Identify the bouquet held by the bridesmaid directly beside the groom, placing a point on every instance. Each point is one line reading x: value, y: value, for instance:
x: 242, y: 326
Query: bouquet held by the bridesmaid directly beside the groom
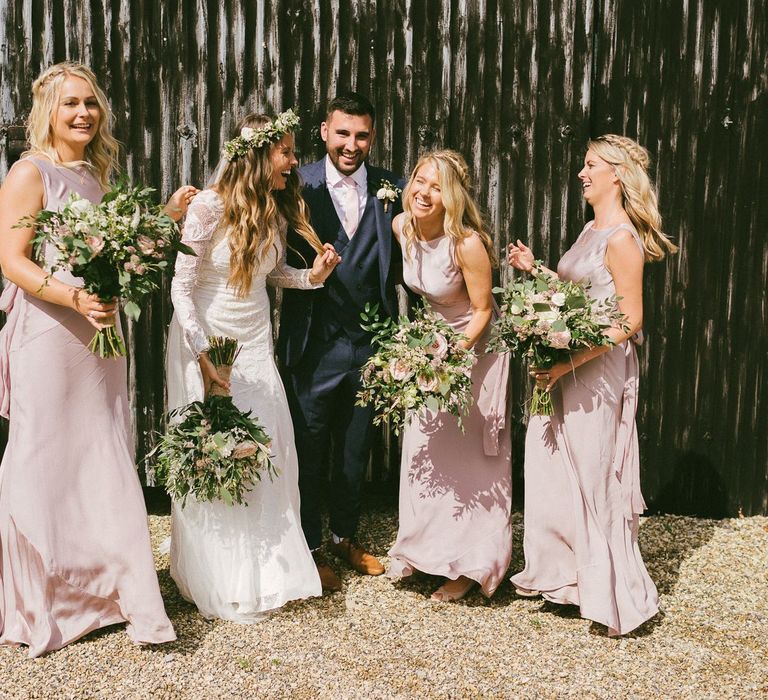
x: 419, y: 364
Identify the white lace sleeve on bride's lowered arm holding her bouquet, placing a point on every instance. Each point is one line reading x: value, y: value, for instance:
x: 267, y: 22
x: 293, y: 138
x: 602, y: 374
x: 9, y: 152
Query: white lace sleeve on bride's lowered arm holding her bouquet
x: 202, y: 221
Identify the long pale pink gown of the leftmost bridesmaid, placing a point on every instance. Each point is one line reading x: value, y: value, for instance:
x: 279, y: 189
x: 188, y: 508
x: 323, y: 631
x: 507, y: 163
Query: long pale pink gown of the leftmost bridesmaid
x: 75, y: 553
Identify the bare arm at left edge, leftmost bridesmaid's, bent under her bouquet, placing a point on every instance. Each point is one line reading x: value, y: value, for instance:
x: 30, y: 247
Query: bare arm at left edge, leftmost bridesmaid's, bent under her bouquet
x: 22, y: 195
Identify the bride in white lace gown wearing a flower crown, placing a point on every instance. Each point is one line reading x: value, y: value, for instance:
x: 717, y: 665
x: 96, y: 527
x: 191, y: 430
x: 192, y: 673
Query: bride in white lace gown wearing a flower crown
x: 237, y: 561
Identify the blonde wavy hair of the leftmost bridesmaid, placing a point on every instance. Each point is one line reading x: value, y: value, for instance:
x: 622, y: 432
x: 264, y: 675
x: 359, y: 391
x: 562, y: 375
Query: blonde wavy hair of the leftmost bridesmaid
x: 102, y: 151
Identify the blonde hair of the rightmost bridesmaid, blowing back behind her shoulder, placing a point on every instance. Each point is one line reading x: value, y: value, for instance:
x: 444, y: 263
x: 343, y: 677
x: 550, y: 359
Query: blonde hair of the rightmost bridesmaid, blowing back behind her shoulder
x: 630, y: 162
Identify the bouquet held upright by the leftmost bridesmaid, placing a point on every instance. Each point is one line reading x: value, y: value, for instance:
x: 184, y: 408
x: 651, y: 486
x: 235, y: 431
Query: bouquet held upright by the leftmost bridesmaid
x: 119, y: 247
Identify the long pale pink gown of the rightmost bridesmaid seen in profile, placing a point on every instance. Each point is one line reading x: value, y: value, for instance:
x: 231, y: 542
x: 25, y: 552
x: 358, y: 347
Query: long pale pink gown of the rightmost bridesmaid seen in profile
x: 582, y: 475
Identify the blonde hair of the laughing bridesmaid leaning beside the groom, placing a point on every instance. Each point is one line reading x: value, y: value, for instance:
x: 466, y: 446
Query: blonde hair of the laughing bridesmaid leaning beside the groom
x: 462, y: 214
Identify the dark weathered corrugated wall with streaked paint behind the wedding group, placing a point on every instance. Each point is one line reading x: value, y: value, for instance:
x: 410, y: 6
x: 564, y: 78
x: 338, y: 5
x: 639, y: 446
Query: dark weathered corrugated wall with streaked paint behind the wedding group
x: 518, y: 87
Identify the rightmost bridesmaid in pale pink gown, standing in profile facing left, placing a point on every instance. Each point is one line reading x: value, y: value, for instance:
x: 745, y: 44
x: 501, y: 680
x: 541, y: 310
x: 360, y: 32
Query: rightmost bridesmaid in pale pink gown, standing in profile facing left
x: 582, y: 470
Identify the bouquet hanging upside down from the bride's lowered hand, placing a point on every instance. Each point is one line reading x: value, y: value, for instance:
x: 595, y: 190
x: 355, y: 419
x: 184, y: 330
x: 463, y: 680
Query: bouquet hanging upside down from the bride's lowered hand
x: 211, y: 449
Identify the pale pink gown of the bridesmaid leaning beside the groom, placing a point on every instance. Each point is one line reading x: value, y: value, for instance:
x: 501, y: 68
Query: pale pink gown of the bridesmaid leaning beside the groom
x: 455, y: 488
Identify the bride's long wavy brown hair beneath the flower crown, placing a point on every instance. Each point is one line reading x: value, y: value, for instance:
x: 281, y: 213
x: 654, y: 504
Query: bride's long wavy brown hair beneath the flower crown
x: 254, y: 210
